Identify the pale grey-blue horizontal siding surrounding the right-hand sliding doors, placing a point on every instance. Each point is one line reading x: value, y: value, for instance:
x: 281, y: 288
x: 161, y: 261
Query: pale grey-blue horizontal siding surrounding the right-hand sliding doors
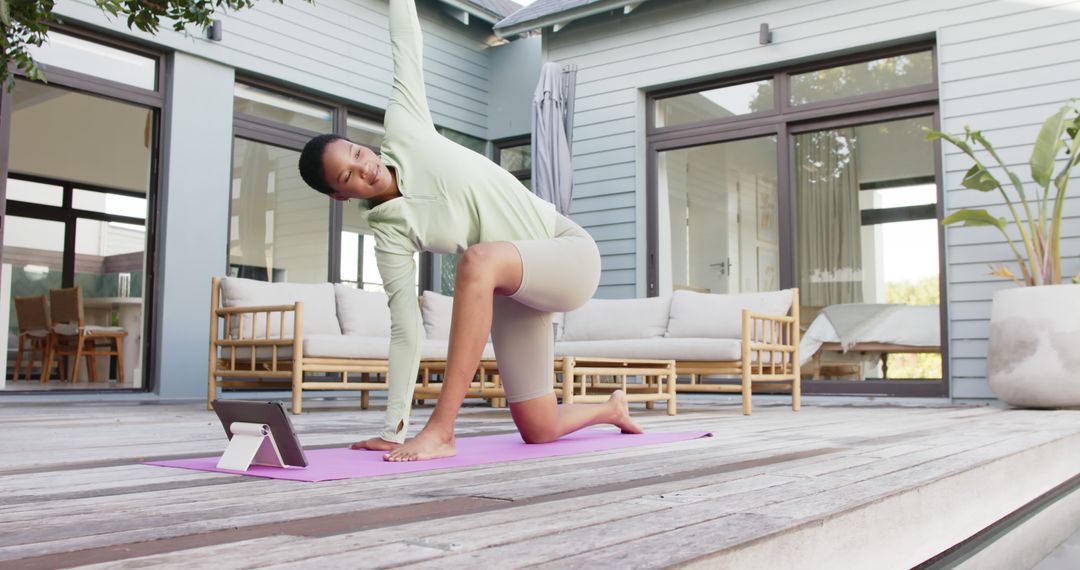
x: 1004, y: 67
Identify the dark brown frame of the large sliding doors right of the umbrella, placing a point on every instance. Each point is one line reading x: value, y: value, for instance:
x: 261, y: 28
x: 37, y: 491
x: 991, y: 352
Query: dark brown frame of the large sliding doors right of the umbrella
x: 785, y: 124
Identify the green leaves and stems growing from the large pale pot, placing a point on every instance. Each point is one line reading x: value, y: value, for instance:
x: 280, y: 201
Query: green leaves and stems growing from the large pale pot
x: 1039, y: 220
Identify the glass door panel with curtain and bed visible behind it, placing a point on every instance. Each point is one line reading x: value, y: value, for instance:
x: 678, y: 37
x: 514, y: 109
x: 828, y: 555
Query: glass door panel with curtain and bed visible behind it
x: 867, y: 252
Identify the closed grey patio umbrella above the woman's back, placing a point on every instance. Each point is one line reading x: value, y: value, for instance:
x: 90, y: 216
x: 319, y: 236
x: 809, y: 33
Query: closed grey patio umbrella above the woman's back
x: 552, y: 131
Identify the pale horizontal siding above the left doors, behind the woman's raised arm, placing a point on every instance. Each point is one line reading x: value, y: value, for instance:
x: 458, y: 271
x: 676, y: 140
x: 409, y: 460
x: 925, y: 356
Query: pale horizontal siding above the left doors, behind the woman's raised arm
x: 339, y: 49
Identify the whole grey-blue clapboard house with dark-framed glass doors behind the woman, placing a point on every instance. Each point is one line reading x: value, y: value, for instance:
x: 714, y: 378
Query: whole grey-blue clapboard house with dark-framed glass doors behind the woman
x: 719, y: 146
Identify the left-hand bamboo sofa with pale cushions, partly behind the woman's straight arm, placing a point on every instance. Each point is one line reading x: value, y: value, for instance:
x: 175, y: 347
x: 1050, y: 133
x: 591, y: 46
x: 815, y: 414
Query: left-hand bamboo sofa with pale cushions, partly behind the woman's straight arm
x: 302, y: 337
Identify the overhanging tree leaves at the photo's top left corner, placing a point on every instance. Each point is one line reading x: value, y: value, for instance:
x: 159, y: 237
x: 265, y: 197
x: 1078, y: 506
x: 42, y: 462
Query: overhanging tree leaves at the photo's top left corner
x: 26, y: 23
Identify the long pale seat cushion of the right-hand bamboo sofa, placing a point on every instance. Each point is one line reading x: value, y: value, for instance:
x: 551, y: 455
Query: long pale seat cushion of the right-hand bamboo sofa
x: 677, y: 349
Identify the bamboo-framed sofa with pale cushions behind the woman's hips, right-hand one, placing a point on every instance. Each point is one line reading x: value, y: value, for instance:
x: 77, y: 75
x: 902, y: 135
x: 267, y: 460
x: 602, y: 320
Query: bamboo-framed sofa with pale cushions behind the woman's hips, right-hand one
x: 752, y: 337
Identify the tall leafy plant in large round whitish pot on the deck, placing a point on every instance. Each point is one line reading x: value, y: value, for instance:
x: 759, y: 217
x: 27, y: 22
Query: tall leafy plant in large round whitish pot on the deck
x: 1034, y: 357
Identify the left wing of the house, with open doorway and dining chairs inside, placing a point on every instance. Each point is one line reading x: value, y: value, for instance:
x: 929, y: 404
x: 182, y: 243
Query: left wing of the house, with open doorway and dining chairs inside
x: 150, y: 165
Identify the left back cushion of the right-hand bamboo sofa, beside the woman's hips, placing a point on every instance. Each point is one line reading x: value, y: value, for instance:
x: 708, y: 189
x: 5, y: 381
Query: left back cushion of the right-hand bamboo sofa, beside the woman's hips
x: 617, y: 319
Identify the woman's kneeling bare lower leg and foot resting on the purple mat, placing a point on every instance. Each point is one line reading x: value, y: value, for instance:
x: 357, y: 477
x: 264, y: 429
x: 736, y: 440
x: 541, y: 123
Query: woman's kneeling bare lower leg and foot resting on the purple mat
x: 542, y: 420
